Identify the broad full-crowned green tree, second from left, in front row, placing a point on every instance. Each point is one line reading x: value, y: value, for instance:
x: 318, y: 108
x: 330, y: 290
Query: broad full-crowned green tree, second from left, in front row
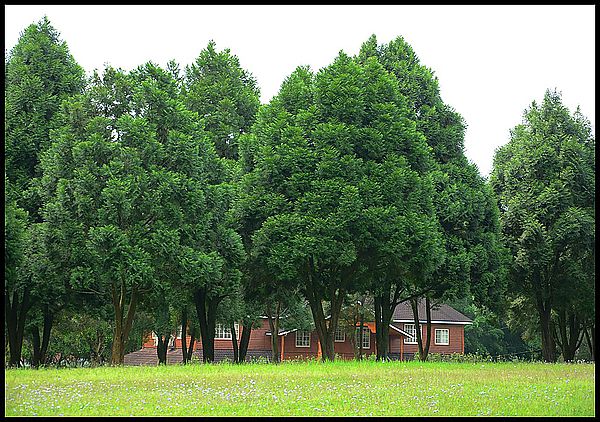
x: 128, y: 169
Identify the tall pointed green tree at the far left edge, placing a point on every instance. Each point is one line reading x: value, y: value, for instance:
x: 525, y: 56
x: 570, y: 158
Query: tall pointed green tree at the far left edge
x: 39, y: 74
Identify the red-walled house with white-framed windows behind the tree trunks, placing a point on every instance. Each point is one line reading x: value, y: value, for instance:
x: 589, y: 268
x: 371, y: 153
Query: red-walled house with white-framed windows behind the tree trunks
x: 447, y: 330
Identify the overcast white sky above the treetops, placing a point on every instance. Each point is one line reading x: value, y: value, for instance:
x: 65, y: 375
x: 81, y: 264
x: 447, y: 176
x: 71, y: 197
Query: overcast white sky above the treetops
x: 491, y: 61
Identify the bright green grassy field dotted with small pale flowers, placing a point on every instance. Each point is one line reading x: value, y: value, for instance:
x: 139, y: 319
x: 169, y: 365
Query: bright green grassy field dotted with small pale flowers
x: 306, y: 389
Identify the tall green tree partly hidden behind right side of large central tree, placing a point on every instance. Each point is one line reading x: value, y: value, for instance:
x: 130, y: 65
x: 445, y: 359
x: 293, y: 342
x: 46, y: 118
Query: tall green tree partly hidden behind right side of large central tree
x: 472, y: 258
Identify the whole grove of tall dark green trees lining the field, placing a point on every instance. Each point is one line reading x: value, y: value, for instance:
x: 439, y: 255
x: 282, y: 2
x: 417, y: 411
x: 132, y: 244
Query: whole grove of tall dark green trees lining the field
x: 157, y: 198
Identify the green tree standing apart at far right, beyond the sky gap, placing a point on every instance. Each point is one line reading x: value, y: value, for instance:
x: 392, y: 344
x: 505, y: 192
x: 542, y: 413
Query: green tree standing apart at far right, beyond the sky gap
x: 544, y: 178
